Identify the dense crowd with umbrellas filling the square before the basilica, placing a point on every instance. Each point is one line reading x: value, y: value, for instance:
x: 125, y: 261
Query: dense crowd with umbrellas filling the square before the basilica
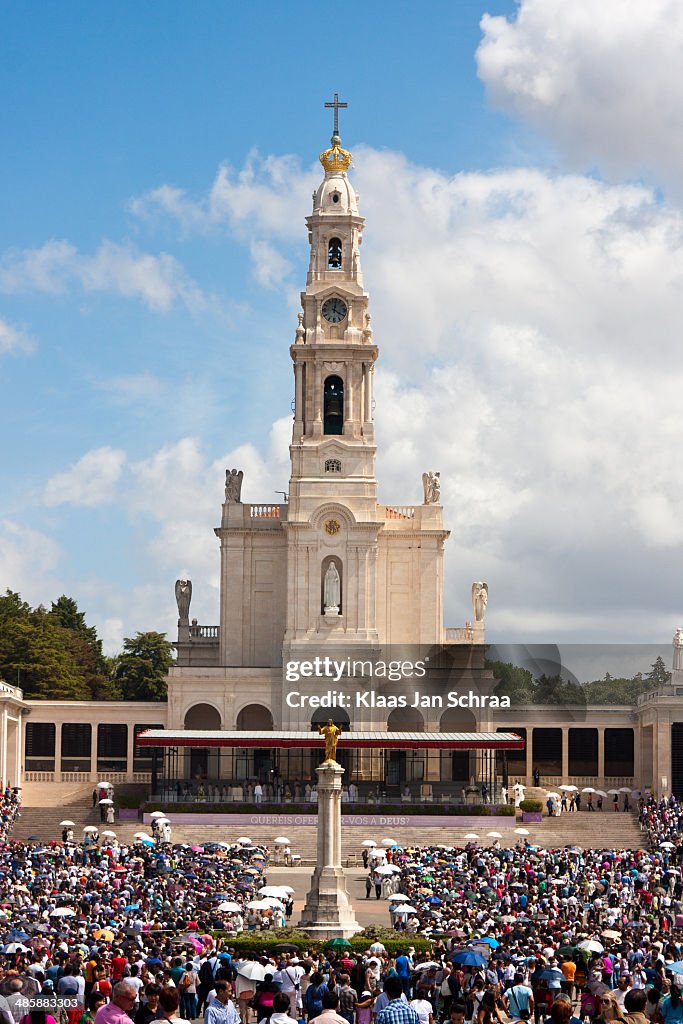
x: 103, y: 934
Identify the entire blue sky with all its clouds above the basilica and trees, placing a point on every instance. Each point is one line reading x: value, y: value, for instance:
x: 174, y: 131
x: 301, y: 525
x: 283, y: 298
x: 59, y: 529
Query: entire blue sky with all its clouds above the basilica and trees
x: 523, y: 255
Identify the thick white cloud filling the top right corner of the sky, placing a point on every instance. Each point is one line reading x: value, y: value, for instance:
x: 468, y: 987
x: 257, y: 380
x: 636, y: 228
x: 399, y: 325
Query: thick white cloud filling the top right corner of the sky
x: 603, y: 80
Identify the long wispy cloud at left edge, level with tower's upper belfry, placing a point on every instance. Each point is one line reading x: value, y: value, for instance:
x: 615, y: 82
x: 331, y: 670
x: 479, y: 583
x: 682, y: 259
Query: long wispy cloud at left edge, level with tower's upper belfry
x: 159, y: 282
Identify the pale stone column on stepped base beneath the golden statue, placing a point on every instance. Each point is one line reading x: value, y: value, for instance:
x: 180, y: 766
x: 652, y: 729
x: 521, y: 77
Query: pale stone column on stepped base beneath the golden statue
x: 328, y: 911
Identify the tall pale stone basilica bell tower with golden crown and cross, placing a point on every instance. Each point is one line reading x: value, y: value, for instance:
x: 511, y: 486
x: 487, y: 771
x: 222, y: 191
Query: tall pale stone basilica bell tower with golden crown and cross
x: 332, y: 526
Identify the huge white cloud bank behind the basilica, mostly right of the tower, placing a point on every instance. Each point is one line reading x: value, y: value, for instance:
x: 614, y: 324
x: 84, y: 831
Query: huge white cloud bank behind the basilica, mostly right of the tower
x: 529, y: 330
